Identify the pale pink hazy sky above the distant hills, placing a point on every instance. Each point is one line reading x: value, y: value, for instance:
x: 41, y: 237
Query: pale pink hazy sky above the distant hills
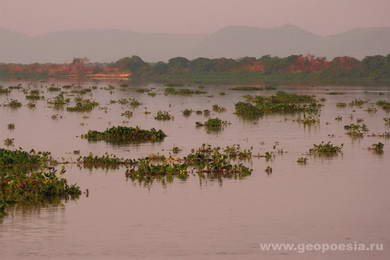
x: 191, y: 16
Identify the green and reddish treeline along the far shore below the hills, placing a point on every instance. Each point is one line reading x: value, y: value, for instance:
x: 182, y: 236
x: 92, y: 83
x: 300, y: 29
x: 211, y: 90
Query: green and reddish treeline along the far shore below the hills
x: 294, y: 69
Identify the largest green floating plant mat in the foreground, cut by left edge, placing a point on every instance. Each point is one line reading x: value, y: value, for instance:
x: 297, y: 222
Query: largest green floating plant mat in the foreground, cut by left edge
x: 27, y: 177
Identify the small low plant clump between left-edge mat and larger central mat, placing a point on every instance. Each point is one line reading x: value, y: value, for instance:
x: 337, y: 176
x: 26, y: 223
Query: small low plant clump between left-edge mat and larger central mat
x: 106, y: 161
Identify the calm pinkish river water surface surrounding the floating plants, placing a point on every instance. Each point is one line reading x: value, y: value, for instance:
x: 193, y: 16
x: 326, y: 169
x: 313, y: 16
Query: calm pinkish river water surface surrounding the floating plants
x: 343, y: 199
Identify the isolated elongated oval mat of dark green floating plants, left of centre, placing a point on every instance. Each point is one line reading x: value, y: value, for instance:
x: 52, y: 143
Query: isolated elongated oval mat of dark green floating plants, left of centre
x: 125, y: 135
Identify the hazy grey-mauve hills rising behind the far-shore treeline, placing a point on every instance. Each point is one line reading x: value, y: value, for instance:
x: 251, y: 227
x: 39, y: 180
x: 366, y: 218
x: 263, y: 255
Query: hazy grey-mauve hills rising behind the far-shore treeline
x: 232, y: 41
